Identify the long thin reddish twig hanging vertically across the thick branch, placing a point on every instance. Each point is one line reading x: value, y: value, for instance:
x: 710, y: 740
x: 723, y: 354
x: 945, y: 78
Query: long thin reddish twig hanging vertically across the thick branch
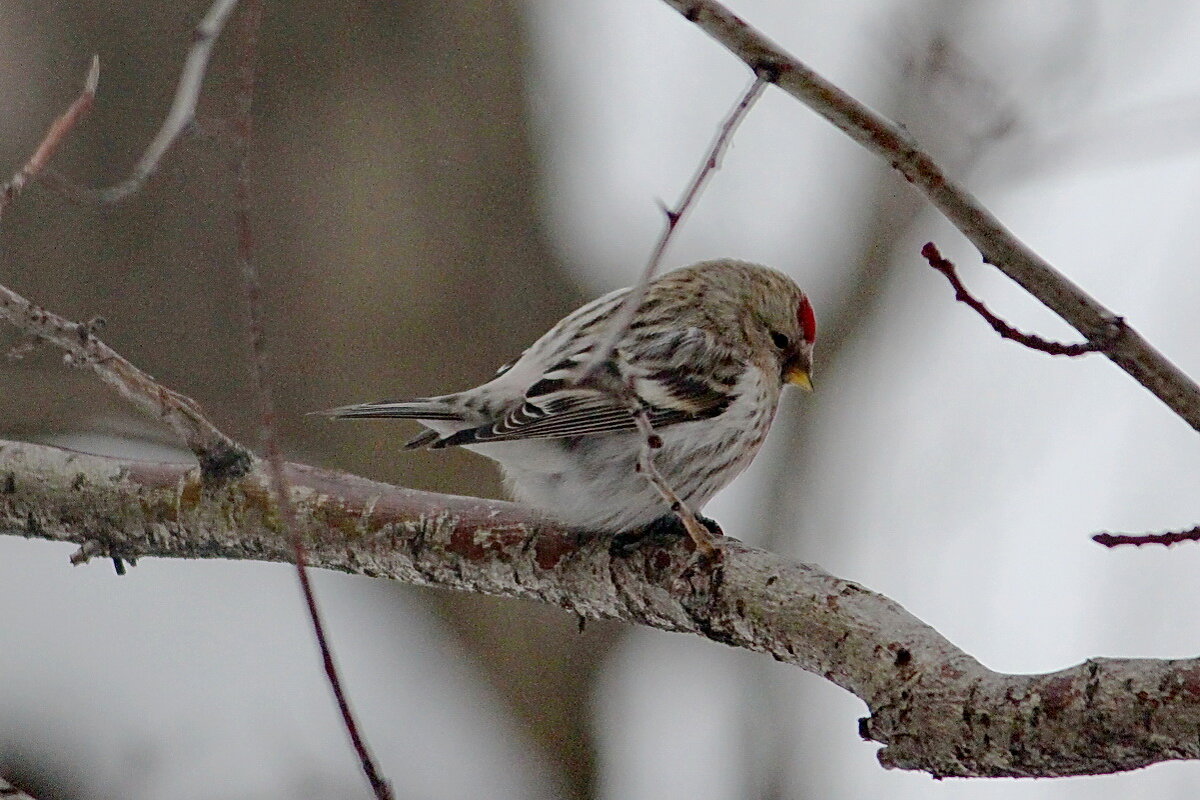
x: 263, y: 392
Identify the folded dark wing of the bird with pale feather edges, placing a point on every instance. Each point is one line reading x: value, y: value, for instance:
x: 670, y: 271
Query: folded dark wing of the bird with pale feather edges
x: 555, y: 407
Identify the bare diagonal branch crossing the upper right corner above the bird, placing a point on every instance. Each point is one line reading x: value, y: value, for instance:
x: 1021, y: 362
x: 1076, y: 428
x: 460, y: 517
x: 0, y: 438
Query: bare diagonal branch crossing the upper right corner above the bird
x: 997, y: 243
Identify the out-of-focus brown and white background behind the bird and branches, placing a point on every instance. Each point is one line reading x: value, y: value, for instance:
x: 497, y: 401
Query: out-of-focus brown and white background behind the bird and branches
x: 436, y: 184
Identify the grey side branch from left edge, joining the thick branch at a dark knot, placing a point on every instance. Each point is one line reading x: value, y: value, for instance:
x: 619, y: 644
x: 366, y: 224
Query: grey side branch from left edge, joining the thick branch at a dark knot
x: 219, y: 455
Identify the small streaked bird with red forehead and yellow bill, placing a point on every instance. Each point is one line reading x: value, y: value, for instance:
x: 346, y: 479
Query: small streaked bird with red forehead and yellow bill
x: 707, y: 354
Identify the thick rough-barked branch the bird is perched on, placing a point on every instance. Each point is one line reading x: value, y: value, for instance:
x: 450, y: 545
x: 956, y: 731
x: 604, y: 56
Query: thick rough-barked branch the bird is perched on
x: 935, y: 708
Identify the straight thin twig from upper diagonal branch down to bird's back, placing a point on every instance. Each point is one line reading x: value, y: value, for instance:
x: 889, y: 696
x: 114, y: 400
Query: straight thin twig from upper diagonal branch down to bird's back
x: 621, y: 321
